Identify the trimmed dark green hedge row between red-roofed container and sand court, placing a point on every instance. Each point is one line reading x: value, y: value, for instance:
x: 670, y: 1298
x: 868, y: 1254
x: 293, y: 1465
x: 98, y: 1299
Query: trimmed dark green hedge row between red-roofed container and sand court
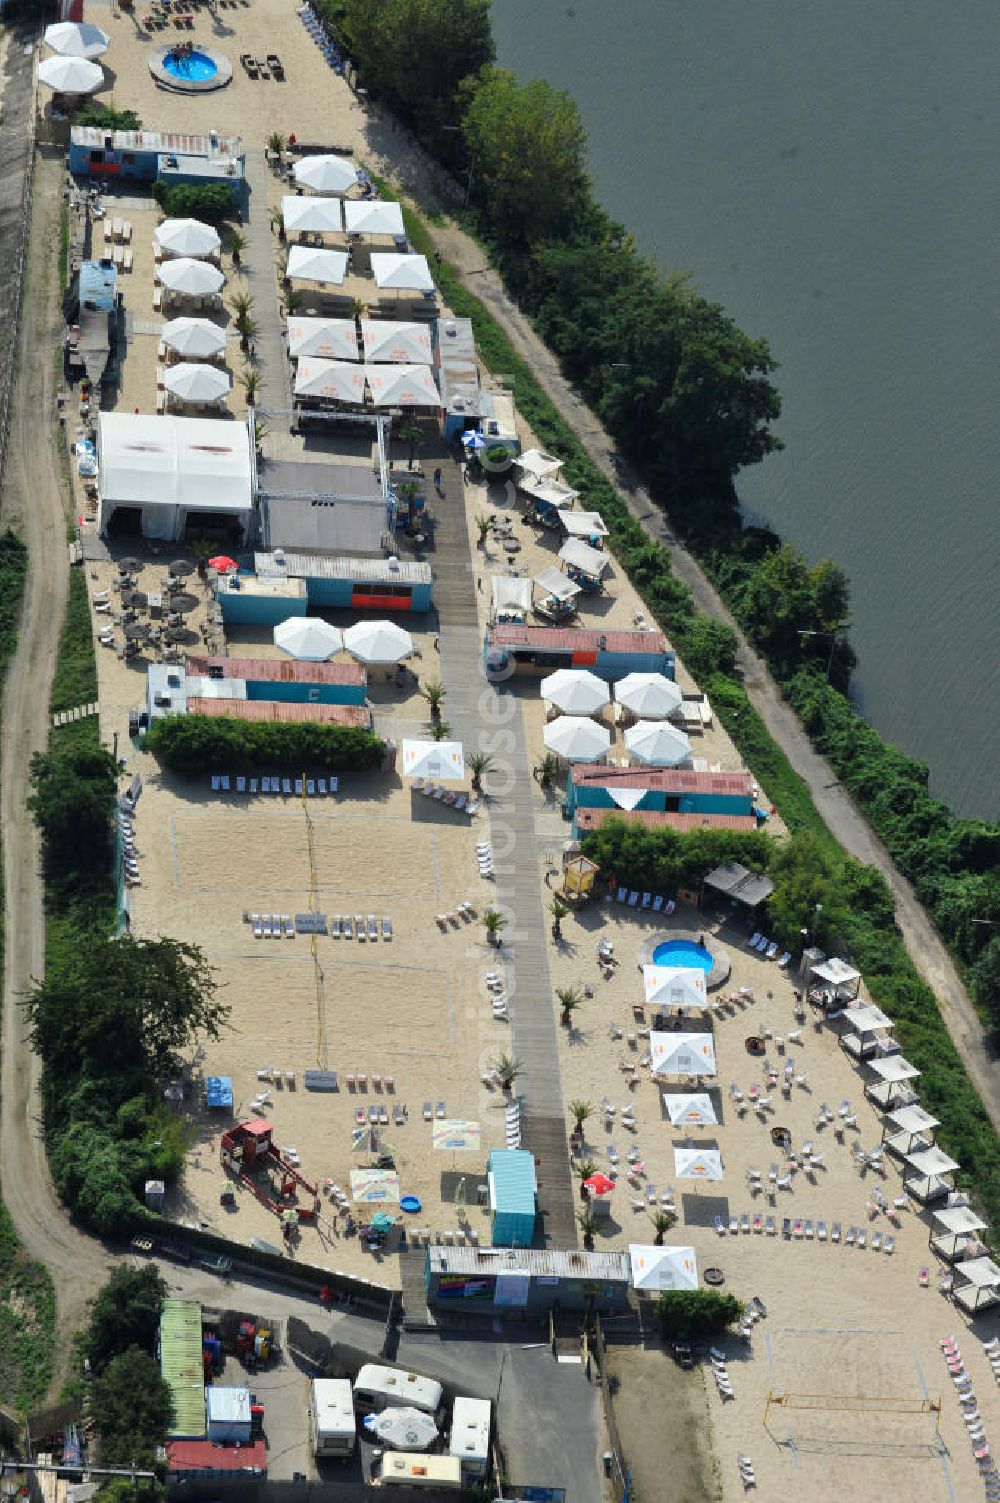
x: 198, y: 745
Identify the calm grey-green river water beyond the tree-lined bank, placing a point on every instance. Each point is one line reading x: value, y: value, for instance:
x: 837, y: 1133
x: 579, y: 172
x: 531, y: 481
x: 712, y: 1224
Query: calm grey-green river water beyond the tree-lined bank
x: 829, y: 174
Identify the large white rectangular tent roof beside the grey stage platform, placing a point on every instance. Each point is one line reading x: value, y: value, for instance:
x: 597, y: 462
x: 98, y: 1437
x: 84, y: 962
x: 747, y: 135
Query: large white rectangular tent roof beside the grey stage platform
x: 166, y: 461
